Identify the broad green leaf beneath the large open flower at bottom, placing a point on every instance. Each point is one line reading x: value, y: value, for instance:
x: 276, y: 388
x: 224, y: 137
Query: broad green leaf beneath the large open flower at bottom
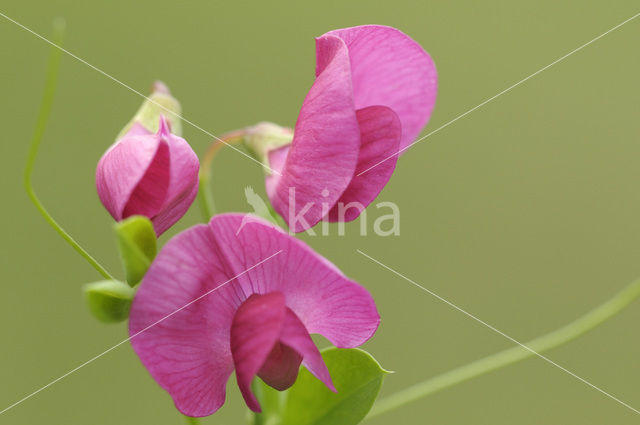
x: 356, y: 375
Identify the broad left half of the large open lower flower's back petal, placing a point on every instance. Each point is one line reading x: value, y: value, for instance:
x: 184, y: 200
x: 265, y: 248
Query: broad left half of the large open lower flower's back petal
x: 183, y: 343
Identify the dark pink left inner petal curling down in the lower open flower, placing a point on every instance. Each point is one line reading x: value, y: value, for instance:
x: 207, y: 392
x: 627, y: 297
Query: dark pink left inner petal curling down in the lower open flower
x: 254, y: 332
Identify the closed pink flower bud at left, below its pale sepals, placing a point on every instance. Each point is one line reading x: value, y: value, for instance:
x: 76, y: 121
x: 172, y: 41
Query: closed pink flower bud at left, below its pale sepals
x: 155, y: 175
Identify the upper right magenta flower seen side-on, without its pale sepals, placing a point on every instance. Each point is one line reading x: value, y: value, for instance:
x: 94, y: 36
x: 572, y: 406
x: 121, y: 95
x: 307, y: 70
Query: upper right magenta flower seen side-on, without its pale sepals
x: 374, y: 91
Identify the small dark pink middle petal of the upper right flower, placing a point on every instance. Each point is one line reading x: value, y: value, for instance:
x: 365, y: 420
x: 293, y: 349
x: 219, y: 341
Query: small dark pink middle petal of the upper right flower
x: 380, y: 132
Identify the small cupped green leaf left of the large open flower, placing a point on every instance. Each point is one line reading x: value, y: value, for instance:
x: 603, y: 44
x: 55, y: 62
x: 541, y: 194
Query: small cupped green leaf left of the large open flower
x: 109, y: 300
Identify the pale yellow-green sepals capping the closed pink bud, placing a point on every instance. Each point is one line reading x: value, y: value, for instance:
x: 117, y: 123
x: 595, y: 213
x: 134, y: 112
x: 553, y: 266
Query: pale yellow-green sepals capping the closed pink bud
x: 159, y: 102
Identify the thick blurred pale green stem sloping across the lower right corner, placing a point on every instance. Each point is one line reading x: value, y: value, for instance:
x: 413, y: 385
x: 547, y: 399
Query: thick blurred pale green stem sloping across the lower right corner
x: 511, y: 355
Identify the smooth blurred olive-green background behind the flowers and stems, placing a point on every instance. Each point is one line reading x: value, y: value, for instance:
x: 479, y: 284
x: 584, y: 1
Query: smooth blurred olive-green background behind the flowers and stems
x: 526, y: 212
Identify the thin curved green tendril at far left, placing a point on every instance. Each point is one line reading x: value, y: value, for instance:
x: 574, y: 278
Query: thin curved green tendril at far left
x: 41, y: 124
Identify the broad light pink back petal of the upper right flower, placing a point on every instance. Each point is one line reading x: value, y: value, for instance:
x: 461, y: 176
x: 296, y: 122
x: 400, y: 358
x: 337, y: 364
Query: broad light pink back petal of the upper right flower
x: 389, y: 68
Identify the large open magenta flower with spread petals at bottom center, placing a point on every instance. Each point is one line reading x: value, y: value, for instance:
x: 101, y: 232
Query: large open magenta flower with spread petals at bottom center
x: 258, y: 296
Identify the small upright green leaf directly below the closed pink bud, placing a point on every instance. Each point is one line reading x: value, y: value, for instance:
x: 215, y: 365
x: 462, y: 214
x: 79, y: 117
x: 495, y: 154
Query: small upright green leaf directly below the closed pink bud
x: 137, y: 242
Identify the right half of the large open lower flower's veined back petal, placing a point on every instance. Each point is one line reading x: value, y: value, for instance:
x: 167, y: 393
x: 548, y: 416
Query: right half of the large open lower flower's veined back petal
x: 324, y: 300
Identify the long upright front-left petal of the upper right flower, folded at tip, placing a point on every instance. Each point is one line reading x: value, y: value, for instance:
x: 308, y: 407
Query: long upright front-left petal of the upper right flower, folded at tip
x: 323, y: 155
